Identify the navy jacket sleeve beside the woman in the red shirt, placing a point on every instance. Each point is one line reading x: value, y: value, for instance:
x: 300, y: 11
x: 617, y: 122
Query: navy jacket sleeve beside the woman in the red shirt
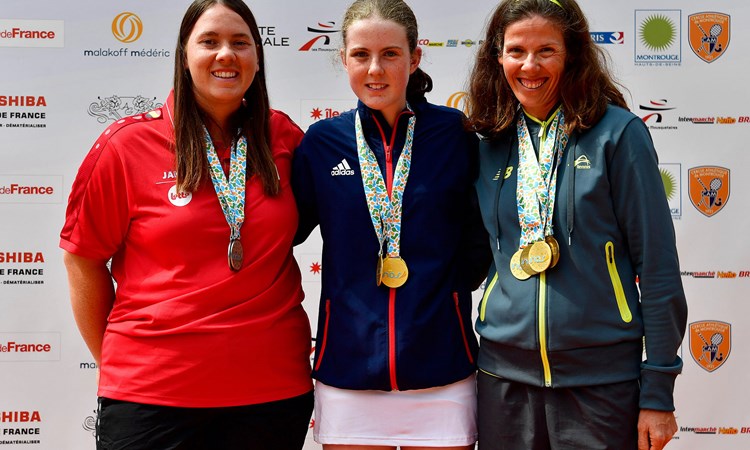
x: 303, y: 185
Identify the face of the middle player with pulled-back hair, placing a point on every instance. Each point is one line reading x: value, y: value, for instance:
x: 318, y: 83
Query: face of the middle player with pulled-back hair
x: 379, y: 62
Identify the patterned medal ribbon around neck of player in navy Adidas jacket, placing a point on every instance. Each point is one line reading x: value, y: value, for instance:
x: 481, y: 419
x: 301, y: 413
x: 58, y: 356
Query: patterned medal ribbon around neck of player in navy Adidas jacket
x: 384, y: 211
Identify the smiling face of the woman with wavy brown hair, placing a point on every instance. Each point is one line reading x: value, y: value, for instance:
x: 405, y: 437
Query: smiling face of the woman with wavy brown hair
x: 533, y: 60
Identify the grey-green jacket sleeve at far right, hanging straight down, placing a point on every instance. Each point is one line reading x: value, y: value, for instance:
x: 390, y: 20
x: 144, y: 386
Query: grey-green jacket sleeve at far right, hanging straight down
x: 643, y: 215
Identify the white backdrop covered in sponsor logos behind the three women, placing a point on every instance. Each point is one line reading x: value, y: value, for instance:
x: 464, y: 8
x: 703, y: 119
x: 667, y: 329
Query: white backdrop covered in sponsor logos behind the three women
x: 61, y: 88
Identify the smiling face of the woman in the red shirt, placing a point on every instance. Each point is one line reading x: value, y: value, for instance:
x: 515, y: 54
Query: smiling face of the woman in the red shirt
x: 222, y: 59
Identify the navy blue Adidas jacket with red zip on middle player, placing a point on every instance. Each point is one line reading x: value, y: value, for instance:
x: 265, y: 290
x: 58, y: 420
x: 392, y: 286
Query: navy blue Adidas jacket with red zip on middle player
x: 419, y: 335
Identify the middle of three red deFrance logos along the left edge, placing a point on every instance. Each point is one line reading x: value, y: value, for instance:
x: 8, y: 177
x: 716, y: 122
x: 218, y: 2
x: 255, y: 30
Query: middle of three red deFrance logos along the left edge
x: 31, y: 189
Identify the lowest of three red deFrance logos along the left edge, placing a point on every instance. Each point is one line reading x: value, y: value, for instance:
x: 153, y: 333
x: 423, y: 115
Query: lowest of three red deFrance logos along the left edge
x: 22, y: 347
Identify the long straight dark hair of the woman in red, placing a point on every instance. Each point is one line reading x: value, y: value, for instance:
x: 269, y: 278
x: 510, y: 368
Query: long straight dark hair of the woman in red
x: 252, y: 120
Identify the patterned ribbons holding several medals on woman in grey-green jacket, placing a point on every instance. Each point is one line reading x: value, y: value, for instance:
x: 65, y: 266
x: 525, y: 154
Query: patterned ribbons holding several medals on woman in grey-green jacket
x: 535, y: 193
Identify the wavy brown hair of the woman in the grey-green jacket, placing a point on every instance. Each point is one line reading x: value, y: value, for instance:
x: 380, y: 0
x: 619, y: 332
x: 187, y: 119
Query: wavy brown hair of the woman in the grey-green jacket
x: 586, y: 86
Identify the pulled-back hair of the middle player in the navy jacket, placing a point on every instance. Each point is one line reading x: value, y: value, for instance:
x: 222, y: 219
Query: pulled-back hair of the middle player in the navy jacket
x: 396, y: 11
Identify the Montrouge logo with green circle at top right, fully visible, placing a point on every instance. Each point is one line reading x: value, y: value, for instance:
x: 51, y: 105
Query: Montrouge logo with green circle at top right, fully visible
x: 657, y: 37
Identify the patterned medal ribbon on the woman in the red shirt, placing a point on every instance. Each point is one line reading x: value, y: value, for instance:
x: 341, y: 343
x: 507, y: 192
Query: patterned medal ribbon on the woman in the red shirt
x: 231, y: 192
